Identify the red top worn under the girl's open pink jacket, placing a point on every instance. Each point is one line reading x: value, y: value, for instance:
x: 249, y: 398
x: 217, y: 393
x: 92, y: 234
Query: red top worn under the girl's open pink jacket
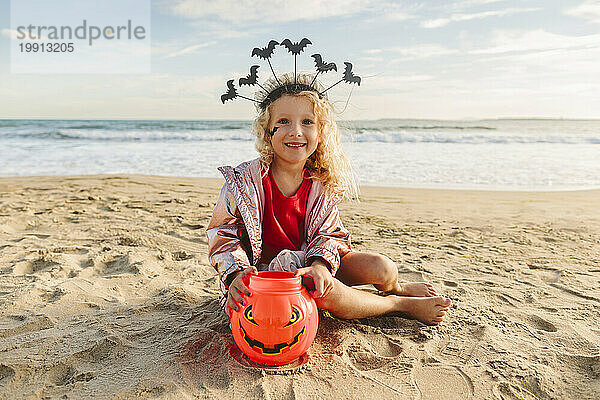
x: 283, y: 219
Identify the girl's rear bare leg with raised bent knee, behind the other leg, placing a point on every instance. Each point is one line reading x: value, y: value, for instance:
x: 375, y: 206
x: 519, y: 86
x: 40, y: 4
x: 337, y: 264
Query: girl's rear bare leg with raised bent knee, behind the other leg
x: 358, y: 268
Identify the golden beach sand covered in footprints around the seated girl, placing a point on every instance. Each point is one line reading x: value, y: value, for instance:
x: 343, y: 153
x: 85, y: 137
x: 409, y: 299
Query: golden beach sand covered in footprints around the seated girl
x: 106, y: 291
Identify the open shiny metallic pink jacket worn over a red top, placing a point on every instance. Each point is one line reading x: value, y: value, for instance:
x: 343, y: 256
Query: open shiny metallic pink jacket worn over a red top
x: 235, y: 229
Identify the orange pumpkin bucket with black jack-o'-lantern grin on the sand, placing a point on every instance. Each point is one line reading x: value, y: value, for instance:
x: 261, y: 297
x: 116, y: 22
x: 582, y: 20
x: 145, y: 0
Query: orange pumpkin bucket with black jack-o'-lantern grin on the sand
x: 280, y: 320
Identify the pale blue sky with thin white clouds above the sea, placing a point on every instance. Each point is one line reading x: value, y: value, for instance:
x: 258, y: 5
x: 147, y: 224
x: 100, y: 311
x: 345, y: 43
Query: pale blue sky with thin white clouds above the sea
x: 455, y: 59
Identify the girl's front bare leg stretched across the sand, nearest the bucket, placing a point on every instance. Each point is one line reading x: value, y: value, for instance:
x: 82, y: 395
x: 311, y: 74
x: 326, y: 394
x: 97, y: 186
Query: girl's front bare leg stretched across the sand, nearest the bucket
x: 346, y: 302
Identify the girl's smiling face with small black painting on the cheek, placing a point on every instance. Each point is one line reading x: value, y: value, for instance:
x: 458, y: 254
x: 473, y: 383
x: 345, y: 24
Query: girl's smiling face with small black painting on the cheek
x: 296, y: 136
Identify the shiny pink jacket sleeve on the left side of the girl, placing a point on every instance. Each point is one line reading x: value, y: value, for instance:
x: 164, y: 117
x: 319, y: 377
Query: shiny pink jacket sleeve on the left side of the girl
x: 226, y: 239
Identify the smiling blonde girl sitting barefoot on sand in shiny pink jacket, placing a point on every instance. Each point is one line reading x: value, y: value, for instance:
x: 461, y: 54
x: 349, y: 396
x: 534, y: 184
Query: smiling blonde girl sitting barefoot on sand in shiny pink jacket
x: 279, y: 212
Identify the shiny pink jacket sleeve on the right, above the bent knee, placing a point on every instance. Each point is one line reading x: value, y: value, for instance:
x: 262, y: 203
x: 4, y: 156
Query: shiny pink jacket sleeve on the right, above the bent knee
x: 331, y: 241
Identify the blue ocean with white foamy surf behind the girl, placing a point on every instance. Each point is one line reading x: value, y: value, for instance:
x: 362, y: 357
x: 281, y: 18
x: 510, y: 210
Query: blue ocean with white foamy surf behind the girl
x: 502, y: 154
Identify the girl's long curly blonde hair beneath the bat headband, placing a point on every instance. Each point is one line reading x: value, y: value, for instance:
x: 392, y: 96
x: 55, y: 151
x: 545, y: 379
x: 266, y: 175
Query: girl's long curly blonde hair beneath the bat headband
x: 327, y: 164
